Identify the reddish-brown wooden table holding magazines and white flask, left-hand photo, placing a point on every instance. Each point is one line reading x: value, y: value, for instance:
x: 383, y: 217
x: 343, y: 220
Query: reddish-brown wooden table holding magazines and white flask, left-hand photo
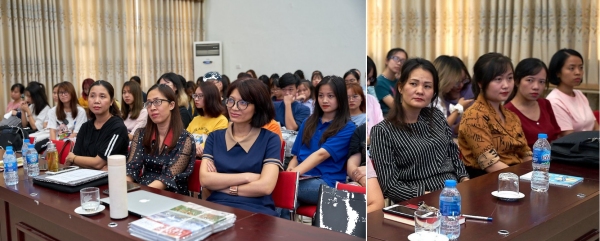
x: 31, y: 212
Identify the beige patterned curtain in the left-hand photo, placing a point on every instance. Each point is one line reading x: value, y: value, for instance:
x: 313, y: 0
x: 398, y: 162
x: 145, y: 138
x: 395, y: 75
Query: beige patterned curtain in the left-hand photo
x: 51, y: 41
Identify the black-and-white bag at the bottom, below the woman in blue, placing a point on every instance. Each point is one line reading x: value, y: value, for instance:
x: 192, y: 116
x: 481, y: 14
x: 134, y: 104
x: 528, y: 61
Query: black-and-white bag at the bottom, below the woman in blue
x: 332, y: 208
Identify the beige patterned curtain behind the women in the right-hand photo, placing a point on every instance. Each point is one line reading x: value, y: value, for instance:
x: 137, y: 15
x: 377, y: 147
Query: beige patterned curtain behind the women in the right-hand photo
x: 470, y: 28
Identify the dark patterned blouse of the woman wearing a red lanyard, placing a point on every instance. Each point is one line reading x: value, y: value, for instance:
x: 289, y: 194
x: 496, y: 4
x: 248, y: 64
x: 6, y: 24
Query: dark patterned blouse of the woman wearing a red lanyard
x: 173, y: 168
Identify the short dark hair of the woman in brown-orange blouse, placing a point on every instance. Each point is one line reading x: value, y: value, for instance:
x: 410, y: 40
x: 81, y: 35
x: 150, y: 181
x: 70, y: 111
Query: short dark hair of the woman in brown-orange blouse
x: 486, y: 68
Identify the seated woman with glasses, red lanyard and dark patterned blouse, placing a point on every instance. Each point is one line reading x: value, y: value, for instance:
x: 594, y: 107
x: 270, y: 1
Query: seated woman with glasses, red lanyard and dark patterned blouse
x: 163, y: 154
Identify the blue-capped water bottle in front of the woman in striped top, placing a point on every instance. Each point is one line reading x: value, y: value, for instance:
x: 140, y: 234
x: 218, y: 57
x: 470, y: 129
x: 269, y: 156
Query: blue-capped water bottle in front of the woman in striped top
x: 450, y: 204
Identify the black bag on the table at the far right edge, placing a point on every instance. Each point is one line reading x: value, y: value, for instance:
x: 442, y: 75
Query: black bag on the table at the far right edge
x: 578, y: 148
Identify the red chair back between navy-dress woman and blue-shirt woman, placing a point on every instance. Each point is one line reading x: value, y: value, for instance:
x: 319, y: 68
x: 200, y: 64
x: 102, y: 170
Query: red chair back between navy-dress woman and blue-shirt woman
x: 286, y: 191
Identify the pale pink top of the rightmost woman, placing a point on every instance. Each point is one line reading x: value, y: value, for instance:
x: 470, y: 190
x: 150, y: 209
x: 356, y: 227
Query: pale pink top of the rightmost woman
x: 572, y: 113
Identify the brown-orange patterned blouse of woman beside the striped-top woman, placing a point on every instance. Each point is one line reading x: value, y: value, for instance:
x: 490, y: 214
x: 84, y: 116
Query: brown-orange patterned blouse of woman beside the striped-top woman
x: 484, y: 140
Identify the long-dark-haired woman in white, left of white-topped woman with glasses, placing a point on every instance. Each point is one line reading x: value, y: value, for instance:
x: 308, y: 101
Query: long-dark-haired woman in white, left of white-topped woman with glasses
x: 35, y: 115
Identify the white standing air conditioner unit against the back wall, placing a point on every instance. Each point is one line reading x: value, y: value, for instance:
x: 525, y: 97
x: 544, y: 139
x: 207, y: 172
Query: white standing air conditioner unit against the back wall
x: 208, y: 56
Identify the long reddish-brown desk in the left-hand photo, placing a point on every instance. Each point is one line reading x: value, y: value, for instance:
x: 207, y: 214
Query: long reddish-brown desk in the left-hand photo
x: 58, y: 208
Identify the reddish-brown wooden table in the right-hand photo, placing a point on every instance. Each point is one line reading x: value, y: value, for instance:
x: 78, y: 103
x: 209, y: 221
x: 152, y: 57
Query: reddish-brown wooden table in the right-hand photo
x: 558, y: 214
